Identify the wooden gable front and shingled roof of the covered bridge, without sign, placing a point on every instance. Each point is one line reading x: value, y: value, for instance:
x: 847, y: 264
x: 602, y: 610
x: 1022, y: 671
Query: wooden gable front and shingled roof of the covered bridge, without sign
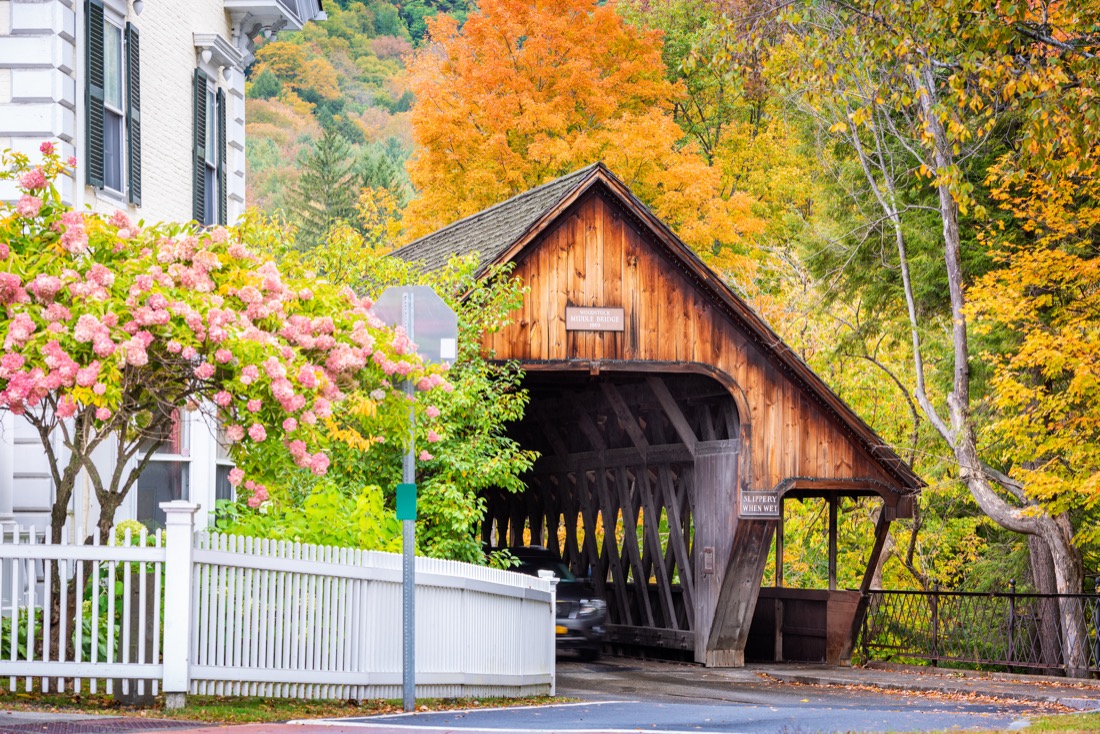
x: 585, y: 240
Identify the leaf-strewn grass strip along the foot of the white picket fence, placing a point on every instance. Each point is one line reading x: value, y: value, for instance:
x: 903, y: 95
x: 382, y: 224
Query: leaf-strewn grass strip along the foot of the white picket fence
x: 244, y: 710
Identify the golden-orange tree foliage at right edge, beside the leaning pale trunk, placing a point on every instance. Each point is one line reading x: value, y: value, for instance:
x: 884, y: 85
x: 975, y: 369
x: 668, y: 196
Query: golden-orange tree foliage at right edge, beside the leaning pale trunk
x: 1044, y: 303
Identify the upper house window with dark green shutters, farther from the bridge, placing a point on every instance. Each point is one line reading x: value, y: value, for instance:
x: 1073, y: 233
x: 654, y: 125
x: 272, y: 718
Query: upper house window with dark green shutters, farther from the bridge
x: 113, y: 104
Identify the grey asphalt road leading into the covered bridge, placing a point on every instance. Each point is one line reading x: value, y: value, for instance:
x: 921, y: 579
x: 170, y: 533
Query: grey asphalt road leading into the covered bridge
x: 633, y: 696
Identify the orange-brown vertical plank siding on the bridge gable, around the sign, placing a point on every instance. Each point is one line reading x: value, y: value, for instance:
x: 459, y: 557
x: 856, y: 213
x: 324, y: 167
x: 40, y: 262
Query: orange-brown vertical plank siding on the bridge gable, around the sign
x: 598, y: 254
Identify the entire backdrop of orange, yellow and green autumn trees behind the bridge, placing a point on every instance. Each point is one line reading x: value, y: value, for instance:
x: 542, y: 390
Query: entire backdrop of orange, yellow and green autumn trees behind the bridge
x: 911, y: 203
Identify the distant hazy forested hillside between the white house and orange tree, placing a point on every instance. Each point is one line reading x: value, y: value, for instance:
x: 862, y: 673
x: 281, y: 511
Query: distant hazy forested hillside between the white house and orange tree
x: 345, y: 75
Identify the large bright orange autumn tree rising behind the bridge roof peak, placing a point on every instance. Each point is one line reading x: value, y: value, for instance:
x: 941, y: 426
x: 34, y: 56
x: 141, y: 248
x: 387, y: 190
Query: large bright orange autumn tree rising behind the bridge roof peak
x: 531, y: 91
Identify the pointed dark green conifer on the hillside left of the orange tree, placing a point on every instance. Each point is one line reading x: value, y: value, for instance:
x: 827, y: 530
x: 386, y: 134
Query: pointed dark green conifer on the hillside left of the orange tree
x: 327, y: 190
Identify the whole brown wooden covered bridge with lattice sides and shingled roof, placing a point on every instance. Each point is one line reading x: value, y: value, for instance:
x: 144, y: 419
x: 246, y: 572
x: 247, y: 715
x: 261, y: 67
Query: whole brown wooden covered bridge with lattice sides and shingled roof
x: 673, y: 423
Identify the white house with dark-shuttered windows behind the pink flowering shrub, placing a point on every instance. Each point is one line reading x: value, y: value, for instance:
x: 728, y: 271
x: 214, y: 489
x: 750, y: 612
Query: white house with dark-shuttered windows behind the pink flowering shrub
x: 149, y: 97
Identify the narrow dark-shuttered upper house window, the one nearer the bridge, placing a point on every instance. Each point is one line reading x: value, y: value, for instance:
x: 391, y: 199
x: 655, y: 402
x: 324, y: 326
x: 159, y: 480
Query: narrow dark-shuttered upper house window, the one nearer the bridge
x: 210, y: 202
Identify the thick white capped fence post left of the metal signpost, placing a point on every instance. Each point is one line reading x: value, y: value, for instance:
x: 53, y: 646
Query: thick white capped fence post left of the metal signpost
x: 180, y: 551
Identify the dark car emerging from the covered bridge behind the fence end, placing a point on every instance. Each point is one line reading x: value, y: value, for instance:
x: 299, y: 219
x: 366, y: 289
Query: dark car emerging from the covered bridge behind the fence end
x: 582, y: 616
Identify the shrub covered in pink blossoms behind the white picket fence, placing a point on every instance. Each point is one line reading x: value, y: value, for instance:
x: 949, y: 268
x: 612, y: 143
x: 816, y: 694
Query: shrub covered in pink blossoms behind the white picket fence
x: 113, y: 326
